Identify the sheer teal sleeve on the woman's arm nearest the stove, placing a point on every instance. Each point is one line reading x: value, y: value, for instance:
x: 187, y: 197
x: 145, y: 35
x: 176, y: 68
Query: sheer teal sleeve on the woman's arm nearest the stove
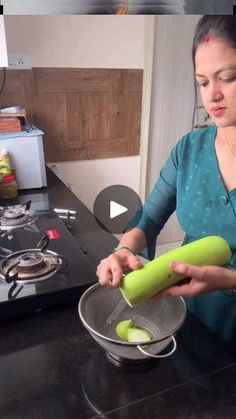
x: 160, y: 204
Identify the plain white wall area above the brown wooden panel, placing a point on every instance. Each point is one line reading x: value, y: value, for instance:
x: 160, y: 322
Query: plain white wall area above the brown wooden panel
x: 78, y: 41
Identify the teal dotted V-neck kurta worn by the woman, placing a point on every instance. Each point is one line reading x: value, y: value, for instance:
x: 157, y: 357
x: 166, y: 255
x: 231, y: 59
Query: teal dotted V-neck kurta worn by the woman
x: 191, y: 183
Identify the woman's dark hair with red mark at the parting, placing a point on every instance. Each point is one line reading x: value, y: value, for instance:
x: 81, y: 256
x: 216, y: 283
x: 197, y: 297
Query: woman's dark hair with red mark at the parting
x: 222, y: 26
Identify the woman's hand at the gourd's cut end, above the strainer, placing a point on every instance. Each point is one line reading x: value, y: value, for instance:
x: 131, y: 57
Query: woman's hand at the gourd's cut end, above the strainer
x: 110, y: 270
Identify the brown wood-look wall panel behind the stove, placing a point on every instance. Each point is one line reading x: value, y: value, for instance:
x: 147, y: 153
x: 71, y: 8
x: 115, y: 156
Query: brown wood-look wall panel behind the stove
x: 84, y: 113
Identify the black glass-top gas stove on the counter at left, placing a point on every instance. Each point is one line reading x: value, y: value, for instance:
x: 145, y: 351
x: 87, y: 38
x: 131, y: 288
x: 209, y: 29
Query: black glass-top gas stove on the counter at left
x: 41, y: 264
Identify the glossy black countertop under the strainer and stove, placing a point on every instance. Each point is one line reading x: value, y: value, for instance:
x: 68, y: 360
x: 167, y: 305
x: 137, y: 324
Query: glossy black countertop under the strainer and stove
x: 50, y: 367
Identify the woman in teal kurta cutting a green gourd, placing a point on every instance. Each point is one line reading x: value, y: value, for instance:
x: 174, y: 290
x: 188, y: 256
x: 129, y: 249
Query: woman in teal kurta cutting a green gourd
x: 199, y: 182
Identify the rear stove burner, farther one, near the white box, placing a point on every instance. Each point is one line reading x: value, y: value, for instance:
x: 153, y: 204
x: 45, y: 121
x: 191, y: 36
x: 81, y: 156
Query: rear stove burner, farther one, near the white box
x: 16, y: 216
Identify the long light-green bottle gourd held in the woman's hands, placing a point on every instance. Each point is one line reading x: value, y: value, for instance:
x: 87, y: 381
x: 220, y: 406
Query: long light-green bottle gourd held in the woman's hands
x: 139, y: 285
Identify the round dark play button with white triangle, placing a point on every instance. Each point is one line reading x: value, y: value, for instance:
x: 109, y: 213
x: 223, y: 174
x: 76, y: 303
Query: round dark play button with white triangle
x: 117, y: 208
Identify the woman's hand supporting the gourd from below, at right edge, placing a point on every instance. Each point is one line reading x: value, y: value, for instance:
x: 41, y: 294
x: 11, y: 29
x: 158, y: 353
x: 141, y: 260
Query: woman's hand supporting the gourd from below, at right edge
x: 202, y: 279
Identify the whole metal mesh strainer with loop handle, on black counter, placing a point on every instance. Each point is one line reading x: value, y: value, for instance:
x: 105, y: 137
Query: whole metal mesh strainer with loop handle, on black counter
x: 101, y: 309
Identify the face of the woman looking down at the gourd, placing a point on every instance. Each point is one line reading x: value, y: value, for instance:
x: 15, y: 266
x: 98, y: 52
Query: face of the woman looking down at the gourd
x: 215, y: 64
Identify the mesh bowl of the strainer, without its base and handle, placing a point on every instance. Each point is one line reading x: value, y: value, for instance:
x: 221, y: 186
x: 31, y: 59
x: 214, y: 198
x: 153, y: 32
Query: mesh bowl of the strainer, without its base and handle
x: 101, y: 310
